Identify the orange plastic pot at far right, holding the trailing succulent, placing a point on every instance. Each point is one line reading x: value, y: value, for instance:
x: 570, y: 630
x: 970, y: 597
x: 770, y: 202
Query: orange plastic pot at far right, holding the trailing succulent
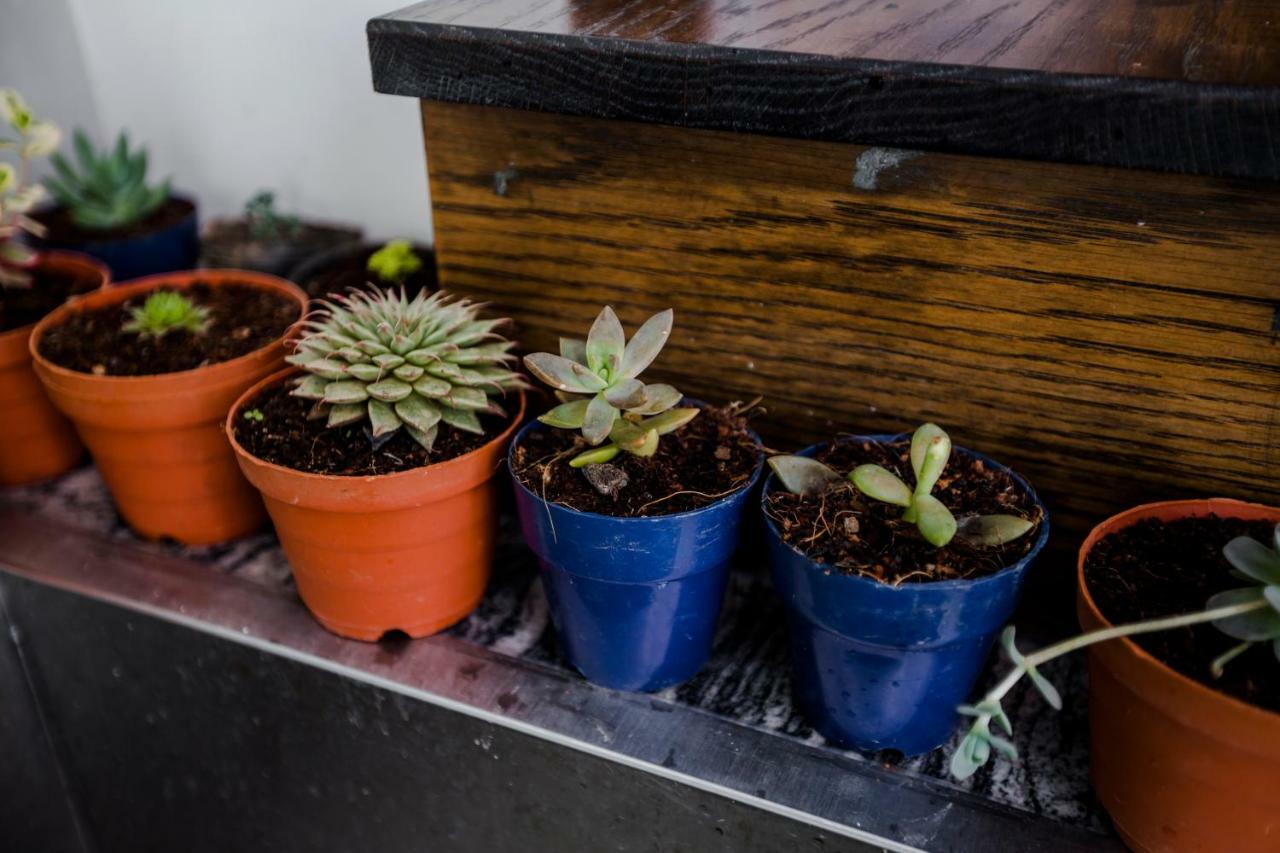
x: 1177, y: 765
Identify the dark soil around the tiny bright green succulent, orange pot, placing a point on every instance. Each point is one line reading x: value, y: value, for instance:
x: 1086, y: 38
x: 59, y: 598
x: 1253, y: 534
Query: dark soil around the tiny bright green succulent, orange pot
x: 243, y: 320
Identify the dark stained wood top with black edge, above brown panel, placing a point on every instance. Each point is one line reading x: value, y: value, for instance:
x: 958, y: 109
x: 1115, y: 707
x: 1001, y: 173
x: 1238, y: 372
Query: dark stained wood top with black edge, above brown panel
x: 1174, y: 85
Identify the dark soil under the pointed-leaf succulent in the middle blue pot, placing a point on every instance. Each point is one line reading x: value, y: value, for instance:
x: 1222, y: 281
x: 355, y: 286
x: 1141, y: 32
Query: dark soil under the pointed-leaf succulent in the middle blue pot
x: 706, y: 460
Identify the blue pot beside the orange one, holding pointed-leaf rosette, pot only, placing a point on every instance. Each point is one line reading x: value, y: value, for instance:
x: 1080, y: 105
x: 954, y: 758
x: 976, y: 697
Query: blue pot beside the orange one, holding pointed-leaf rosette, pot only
x: 636, y: 601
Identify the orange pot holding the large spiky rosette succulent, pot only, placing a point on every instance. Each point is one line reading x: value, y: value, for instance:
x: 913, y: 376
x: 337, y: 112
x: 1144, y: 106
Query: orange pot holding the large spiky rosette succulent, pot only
x: 408, y: 551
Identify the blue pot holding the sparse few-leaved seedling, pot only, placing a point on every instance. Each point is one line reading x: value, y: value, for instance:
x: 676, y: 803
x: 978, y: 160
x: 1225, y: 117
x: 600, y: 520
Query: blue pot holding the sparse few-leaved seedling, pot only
x: 884, y: 668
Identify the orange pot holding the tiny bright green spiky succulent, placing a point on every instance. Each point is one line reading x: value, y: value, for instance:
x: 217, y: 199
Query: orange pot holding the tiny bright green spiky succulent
x: 158, y: 440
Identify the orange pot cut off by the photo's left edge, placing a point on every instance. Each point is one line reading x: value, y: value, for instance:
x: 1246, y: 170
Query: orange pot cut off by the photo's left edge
x: 36, y: 443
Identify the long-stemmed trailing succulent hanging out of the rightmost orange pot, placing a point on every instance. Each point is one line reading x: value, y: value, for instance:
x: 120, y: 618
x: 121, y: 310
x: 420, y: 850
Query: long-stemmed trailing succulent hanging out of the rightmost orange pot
x: 1249, y: 614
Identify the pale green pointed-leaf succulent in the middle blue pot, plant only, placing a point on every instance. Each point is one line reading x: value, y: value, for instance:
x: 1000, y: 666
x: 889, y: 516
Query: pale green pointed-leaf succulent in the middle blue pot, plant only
x: 597, y: 381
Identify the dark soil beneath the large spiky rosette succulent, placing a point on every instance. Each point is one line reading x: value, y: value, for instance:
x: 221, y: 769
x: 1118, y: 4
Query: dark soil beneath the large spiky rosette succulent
x: 286, y: 437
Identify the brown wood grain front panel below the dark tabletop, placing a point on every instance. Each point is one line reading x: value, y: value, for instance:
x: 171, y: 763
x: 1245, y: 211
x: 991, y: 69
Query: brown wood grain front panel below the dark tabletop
x: 1112, y: 335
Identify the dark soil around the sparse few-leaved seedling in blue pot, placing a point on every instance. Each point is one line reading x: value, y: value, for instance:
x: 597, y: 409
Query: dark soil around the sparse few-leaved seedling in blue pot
x: 860, y: 536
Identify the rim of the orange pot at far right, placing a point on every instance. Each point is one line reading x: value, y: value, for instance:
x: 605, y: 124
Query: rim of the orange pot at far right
x: 1086, y: 604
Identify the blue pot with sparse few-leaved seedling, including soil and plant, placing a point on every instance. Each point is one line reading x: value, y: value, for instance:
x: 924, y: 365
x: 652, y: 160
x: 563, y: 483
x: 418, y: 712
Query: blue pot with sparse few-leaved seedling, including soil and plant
x: 899, y: 560
